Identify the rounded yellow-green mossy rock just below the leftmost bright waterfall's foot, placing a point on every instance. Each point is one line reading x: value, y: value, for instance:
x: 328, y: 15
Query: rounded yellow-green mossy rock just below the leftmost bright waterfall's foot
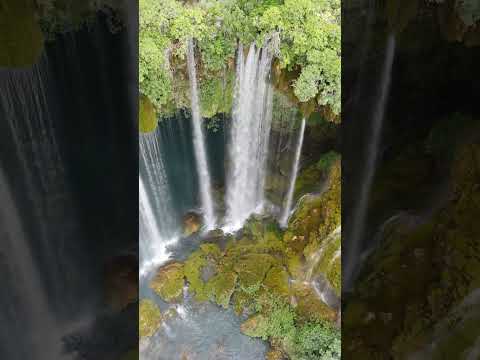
x: 168, y: 282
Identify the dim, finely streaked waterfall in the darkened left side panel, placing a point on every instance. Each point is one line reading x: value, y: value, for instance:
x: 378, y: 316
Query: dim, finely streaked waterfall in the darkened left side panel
x: 34, y: 158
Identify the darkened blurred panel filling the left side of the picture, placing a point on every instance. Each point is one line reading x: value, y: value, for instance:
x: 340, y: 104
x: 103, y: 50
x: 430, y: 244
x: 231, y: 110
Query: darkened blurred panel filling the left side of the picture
x: 68, y: 179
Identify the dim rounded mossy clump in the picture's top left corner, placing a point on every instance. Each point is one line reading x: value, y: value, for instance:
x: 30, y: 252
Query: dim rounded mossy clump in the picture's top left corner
x: 21, y: 37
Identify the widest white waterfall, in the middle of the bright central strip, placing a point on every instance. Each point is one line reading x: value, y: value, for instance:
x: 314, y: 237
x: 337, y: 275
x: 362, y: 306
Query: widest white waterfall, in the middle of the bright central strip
x: 250, y: 131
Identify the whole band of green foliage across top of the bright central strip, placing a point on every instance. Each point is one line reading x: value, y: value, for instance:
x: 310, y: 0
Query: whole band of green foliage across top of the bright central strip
x: 309, y: 33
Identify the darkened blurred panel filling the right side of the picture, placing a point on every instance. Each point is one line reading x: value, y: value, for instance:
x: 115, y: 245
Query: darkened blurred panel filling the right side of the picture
x: 410, y: 179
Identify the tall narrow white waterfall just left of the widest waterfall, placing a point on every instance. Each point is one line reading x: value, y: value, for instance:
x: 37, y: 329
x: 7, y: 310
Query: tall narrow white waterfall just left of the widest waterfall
x: 199, y: 145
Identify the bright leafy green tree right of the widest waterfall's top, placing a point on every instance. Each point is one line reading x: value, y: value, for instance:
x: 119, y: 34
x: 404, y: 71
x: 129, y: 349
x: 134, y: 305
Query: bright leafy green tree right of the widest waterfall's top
x: 310, y: 40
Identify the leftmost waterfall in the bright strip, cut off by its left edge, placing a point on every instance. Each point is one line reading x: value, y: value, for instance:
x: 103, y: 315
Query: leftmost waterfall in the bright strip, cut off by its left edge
x: 157, y: 220
